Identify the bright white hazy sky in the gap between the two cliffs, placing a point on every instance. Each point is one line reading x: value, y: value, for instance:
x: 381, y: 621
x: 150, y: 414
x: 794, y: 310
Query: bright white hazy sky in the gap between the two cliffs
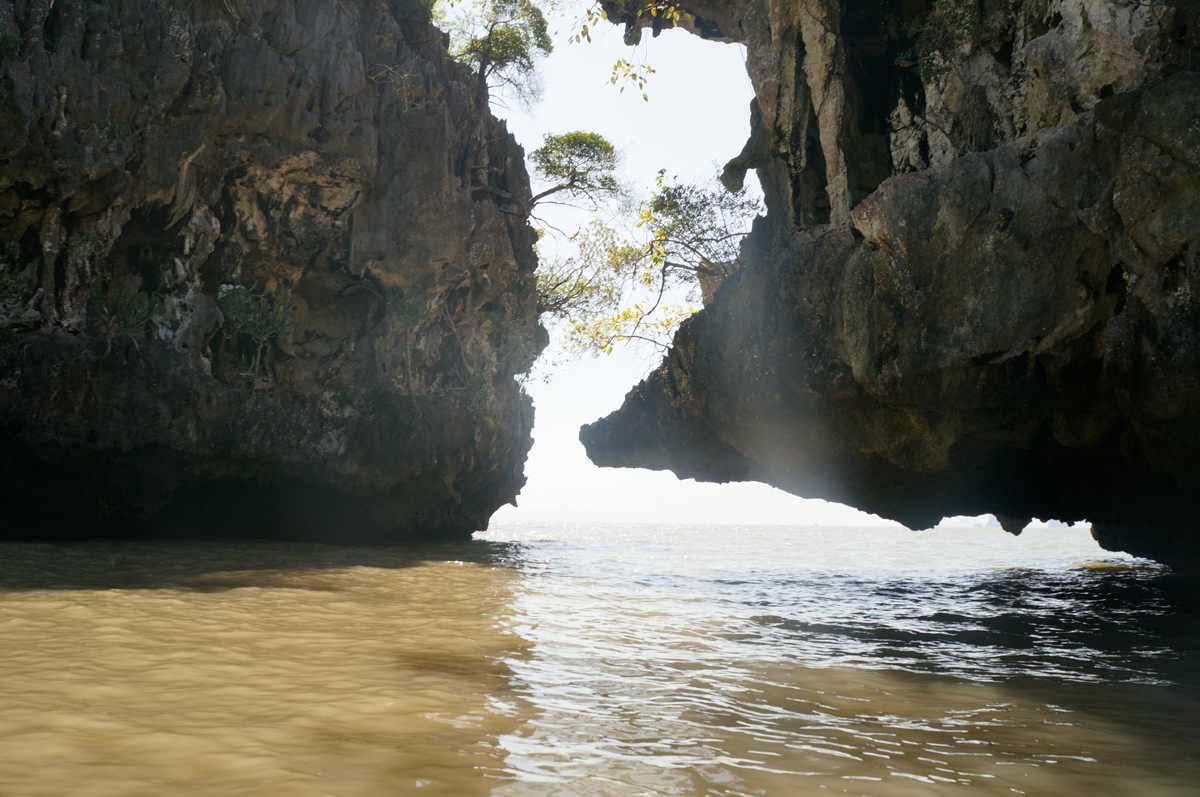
x: 698, y: 116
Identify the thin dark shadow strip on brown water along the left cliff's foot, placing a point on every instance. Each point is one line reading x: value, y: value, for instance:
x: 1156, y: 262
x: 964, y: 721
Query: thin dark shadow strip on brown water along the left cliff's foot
x: 214, y: 567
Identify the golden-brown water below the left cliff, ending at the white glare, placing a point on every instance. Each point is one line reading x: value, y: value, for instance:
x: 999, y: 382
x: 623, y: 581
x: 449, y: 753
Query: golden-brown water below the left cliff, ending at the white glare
x: 218, y: 680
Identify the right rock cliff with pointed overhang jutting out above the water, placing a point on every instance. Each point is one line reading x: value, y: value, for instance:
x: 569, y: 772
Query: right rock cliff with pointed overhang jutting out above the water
x: 976, y: 290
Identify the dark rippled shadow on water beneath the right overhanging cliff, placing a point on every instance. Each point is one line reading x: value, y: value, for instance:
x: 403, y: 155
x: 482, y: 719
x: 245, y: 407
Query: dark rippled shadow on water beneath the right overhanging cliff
x: 1139, y: 625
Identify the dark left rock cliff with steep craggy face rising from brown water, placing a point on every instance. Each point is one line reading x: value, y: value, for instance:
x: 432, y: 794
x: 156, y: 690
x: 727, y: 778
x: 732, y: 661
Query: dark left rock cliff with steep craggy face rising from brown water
x: 249, y: 284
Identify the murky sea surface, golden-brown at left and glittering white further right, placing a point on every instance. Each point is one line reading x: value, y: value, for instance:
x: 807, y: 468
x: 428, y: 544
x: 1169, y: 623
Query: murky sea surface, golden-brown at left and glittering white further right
x: 601, y: 661
